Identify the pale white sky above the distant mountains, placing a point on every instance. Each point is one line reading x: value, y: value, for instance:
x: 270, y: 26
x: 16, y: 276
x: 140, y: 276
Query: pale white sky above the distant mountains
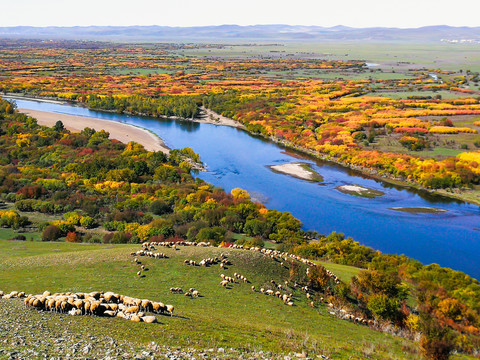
x: 354, y: 13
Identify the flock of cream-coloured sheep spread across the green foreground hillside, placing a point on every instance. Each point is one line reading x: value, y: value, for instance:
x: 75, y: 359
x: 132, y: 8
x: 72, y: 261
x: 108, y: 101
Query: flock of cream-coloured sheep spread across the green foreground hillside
x: 115, y: 305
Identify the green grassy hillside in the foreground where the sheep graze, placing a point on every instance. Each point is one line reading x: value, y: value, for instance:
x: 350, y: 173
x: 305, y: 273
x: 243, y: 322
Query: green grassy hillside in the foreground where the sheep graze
x: 222, y: 318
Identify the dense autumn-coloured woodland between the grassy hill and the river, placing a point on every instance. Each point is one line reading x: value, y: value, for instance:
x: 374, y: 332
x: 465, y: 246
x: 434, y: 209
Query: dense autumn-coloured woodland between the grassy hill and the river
x: 109, y: 192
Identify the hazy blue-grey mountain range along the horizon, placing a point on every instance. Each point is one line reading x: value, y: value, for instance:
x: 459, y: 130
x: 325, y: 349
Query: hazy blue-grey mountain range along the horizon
x: 254, y: 32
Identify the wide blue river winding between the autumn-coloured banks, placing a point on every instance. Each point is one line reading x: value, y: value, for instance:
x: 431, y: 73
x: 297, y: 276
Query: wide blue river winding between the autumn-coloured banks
x: 236, y: 159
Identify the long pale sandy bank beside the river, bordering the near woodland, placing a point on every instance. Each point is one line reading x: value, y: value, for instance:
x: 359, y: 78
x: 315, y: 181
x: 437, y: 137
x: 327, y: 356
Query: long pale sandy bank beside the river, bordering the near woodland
x: 122, y: 132
